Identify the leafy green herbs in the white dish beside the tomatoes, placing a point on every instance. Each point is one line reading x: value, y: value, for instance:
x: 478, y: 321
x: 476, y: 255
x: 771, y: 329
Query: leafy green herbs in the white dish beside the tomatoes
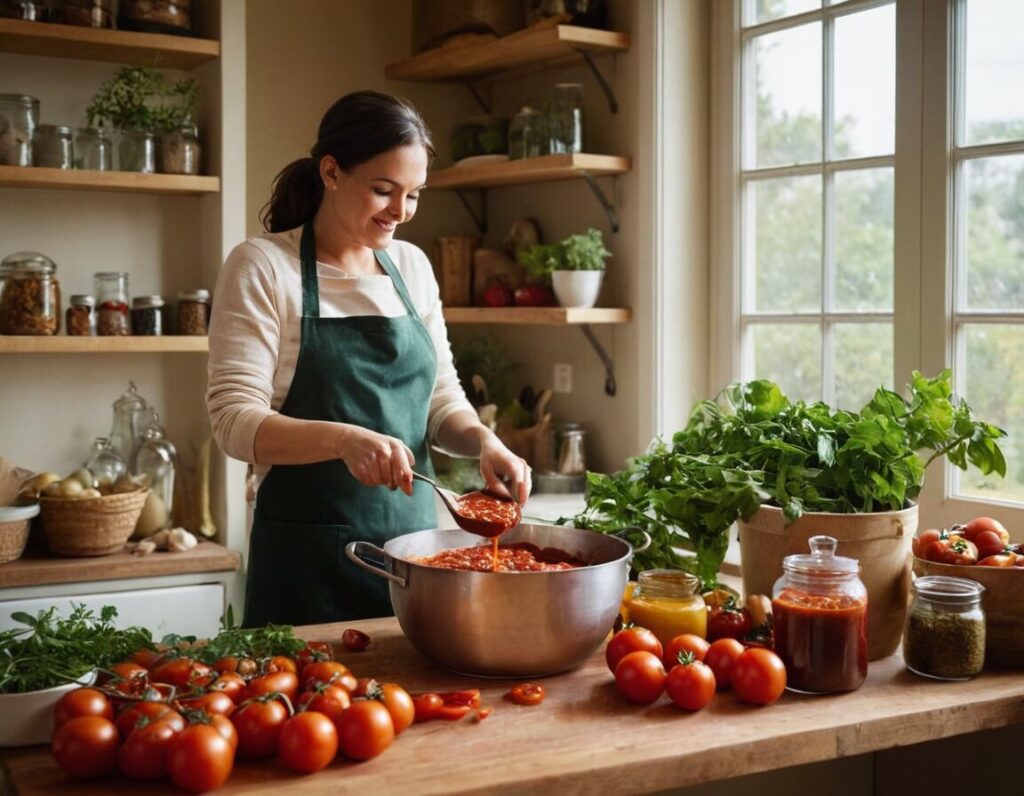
x: 51, y: 651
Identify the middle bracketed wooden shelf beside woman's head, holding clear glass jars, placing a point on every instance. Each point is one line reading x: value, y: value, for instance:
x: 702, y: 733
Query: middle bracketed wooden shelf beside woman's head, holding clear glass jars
x: 547, y: 169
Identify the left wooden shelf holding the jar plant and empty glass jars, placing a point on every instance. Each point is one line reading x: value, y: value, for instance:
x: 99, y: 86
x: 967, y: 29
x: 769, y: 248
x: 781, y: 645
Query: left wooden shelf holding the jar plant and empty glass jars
x: 84, y: 180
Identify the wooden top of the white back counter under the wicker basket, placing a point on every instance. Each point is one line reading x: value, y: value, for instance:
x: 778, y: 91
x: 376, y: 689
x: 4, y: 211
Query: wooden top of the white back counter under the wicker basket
x: 37, y: 568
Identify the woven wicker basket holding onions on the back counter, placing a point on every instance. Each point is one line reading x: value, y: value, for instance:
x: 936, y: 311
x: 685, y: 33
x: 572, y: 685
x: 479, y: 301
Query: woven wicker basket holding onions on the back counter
x: 83, y: 527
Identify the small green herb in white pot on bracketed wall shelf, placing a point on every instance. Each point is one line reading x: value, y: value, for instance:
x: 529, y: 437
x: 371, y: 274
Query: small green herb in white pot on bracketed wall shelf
x: 575, y: 267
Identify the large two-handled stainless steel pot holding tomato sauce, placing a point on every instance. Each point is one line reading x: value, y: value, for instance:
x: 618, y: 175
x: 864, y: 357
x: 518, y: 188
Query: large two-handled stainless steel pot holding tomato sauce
x: 504, y: 624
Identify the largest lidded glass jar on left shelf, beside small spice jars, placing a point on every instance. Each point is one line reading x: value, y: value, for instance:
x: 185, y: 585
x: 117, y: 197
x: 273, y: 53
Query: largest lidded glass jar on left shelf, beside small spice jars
x: 30, y: 296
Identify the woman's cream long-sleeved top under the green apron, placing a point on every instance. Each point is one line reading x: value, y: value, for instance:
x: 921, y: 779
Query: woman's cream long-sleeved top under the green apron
x: 255, y: 331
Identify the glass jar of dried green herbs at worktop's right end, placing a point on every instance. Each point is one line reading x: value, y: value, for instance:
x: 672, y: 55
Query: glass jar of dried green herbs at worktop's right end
x: 945, y: 637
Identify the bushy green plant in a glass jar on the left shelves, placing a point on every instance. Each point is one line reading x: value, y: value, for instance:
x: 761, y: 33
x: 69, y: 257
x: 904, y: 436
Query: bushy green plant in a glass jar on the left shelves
x: 141, y: 104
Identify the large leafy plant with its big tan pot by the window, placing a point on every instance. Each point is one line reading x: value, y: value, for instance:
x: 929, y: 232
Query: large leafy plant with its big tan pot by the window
x: 789, y: 471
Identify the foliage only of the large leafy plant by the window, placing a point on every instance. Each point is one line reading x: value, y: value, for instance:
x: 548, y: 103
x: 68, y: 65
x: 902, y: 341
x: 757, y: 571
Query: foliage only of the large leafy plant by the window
x: 753, y: 445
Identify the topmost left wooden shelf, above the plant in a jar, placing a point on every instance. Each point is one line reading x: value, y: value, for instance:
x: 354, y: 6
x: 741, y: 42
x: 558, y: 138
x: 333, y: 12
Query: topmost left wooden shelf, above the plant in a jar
x: 72, y: 41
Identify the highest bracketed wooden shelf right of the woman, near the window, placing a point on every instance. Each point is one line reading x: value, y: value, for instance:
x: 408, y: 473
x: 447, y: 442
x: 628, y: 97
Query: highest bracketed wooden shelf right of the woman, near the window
x: 540, y: 45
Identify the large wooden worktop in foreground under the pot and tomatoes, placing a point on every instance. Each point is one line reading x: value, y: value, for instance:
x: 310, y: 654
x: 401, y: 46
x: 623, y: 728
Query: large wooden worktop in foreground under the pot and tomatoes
x: 585, y: 738
